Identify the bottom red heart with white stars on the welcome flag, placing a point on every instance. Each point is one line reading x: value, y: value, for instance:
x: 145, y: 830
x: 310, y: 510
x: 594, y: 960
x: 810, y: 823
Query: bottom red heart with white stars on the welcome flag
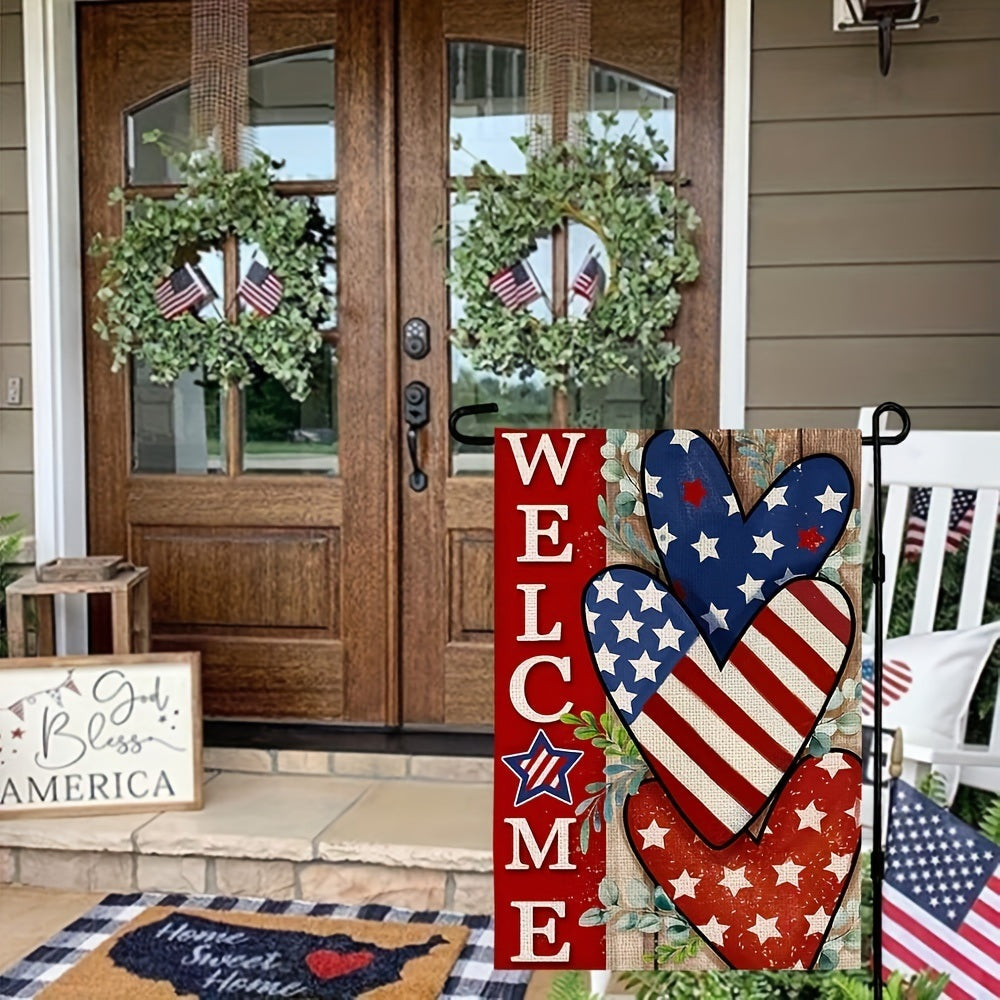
x: 763, y: 902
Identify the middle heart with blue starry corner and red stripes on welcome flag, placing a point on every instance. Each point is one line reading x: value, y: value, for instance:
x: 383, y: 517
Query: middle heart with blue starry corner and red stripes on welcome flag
x: 719, y: 741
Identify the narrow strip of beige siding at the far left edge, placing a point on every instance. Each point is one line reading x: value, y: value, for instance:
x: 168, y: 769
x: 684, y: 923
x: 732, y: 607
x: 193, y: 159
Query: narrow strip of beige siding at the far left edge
x: 15, y: 356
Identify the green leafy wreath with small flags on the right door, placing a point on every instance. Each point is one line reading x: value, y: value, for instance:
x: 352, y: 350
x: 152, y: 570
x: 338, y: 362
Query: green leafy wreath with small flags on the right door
x: 614, y: 186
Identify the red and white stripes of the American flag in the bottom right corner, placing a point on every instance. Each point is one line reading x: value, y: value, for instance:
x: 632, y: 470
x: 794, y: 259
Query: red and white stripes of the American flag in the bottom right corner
x: 914, y: 940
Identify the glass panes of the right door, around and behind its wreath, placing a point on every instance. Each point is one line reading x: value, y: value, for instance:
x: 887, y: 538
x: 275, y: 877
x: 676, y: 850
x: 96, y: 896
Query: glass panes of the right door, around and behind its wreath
x: 488, y: 110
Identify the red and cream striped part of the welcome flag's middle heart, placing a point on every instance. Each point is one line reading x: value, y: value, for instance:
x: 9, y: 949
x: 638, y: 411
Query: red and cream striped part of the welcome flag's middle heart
x: 720, y: 741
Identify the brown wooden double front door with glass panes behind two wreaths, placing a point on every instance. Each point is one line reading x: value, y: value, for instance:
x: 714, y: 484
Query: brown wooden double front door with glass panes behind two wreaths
x: 284, y: 539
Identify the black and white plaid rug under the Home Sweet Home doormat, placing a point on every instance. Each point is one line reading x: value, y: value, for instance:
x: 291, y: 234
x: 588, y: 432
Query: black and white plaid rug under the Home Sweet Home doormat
x: 472, y: 976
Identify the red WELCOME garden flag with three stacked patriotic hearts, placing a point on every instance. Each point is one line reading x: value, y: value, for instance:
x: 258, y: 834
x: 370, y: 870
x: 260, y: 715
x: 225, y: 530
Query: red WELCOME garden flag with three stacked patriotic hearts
x: 678, y: 699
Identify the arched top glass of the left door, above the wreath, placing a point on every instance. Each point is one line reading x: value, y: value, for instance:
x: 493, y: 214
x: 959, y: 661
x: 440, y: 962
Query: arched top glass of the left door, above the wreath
x: 291, y: 119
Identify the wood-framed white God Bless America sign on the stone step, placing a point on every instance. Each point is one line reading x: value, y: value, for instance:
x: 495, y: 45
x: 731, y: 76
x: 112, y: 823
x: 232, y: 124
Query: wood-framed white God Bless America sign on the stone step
x: 100, y: 734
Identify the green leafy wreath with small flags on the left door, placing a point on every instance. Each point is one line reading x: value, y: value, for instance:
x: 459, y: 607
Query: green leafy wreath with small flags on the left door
x: 160, y: 236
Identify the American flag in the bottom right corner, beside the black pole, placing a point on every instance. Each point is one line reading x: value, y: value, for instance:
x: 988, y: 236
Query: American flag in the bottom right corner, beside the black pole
x: 941, y: 897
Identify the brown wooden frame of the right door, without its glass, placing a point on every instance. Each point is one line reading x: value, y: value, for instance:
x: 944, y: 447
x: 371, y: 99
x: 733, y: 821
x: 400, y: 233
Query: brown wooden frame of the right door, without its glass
x: 447, y: 530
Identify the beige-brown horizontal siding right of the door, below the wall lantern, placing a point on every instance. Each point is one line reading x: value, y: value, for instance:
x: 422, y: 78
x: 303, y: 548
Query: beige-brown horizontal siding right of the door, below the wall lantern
x: 874, y: 219
